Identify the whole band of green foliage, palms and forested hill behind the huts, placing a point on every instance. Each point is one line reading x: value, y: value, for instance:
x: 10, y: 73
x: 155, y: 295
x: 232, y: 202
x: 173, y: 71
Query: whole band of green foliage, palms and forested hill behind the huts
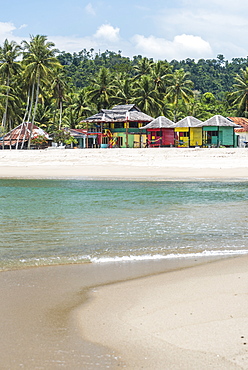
x: 55, y: 89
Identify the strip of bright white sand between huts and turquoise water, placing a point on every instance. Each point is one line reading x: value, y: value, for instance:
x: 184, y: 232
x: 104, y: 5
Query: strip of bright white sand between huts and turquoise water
x: 150, y: 163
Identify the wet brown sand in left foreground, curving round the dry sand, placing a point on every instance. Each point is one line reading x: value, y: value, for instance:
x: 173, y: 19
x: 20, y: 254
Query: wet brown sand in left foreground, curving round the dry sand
x: 40, y: 313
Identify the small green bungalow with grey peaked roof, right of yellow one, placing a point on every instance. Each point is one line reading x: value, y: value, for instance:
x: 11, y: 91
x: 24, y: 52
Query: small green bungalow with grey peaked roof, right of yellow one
x: 218, y: 131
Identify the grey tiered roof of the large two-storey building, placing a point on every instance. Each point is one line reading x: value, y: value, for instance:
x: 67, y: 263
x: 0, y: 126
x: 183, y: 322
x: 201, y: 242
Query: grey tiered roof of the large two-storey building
x: 119, y: 113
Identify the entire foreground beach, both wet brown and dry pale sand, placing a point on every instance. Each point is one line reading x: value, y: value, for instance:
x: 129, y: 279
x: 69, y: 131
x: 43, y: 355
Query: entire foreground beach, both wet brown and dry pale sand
x: 159, y: 315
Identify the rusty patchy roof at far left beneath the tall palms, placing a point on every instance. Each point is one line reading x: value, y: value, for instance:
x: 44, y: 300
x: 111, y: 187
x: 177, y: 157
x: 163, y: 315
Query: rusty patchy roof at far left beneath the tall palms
x: 22, y: 133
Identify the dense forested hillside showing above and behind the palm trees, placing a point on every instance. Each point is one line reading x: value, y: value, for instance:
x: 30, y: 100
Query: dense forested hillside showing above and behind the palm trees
x: 208, y: 75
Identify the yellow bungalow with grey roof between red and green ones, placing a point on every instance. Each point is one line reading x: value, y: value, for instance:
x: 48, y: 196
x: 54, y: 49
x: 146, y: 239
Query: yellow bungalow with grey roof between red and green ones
x: 188, y: 132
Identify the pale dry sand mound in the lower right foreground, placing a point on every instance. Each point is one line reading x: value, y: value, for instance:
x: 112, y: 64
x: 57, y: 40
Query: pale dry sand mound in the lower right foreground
x: 194, y: 318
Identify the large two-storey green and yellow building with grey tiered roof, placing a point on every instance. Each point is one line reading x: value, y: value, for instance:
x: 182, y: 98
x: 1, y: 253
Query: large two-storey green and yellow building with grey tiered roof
x: 120, y: 126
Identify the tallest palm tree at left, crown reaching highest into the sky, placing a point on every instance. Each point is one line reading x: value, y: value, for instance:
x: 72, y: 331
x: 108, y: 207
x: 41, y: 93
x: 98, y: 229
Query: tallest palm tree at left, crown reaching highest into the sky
x: 40, y: 62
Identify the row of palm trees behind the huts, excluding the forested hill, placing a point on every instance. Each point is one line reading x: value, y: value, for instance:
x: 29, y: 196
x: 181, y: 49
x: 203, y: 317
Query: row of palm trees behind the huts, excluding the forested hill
x: 34, y: 87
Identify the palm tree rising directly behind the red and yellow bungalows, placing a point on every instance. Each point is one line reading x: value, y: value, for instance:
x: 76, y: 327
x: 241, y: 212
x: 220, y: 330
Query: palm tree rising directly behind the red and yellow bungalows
x: 179, y: 88
